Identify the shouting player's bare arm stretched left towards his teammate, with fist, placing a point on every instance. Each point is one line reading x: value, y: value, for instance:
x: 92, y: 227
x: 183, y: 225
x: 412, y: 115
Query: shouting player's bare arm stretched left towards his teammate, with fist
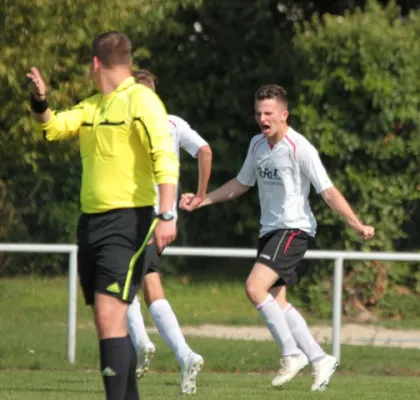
x: 229, y: 191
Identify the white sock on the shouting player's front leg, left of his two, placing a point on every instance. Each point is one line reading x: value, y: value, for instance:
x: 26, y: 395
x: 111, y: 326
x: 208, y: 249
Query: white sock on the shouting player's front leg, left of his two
x: 276, y: 322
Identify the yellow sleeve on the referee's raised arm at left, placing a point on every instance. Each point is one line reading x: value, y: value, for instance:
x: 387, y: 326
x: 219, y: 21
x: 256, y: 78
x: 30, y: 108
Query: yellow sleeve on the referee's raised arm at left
x: 62, y: 124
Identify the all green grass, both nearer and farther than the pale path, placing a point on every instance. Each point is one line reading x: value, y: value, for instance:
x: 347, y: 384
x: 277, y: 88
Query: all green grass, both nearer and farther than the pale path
x: 33, y: 363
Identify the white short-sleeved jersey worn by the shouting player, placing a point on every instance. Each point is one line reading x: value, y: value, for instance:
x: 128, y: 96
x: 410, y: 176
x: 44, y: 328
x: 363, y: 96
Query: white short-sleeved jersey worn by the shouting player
x: 284, y: 174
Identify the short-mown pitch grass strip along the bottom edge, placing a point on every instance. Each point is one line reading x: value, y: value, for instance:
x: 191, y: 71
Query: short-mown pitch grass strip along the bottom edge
x: 42, y: 385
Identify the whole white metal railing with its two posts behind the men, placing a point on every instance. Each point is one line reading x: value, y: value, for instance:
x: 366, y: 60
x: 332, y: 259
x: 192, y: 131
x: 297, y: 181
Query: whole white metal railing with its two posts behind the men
x: 337, y: 256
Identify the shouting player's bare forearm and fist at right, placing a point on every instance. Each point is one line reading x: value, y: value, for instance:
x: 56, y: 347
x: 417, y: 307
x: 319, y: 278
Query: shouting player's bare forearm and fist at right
x: 333, y: 197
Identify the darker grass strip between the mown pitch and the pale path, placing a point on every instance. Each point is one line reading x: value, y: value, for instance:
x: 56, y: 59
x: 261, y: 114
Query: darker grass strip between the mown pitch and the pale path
x: 44, y: 348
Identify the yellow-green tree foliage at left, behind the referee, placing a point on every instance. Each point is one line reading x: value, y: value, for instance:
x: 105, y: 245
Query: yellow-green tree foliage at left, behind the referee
x: 39, y: 182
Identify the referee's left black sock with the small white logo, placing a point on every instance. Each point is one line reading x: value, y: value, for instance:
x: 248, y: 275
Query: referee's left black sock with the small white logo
x: 115, y: 364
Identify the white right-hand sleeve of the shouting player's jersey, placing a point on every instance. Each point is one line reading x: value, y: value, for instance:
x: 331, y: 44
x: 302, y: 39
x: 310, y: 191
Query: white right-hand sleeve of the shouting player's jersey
x: 312, y: 167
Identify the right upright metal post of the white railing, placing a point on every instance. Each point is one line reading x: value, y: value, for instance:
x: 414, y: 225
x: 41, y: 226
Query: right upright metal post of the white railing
x: 337, y: 306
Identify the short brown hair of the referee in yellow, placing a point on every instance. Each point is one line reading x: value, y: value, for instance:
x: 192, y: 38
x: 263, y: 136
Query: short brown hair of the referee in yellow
x: 112, y: 48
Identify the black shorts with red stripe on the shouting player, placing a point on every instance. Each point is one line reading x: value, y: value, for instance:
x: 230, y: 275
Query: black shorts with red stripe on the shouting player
x: 282, y: 250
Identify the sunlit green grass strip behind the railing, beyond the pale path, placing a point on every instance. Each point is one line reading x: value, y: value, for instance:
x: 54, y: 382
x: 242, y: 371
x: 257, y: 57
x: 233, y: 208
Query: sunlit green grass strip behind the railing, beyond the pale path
x: 220, y: 302
